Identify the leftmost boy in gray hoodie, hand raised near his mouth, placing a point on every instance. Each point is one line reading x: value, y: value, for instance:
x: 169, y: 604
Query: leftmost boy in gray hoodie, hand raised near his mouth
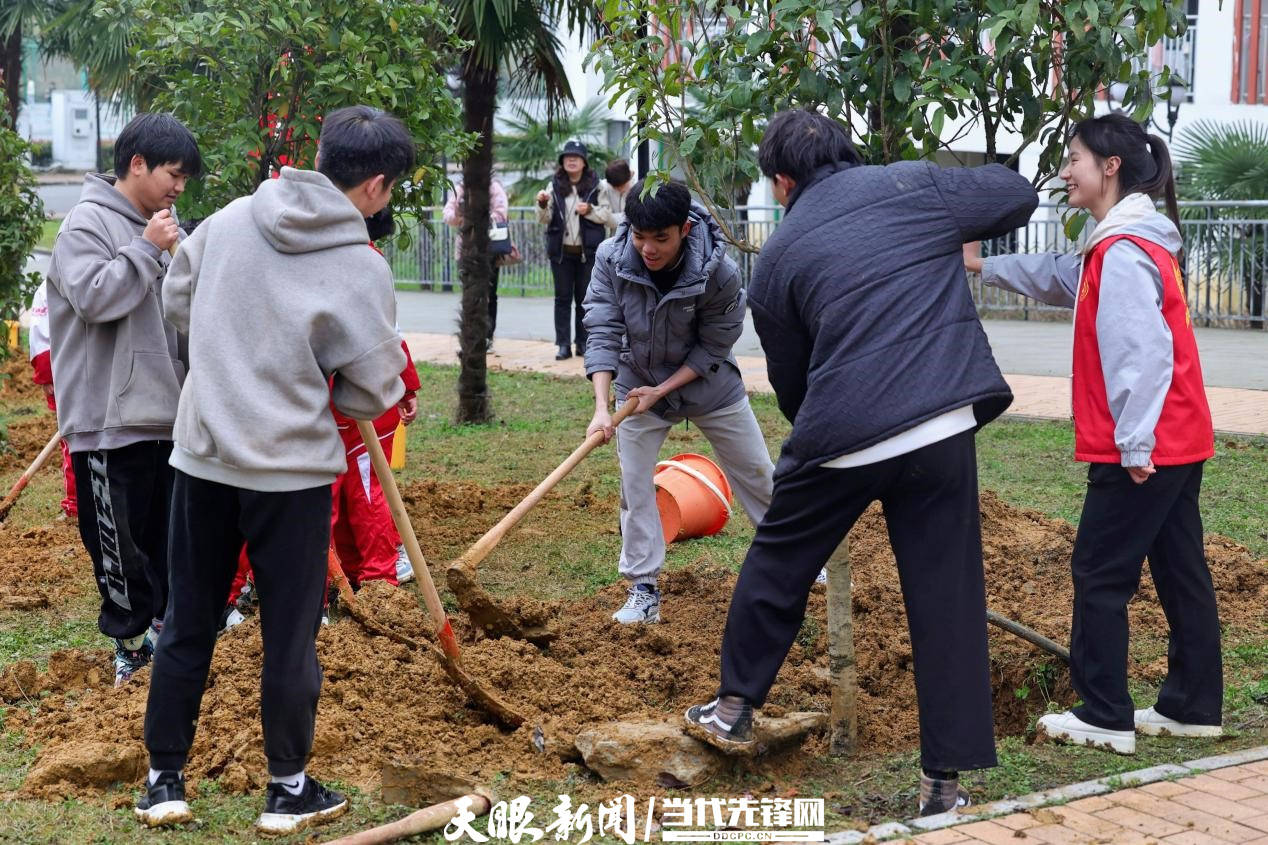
x: 119, y: 372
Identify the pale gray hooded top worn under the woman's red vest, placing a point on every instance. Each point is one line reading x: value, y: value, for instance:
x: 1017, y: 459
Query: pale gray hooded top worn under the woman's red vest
x: 1135, y: 342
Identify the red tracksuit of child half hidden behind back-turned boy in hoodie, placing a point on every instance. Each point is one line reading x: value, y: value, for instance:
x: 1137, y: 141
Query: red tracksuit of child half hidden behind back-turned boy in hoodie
x: 362, y: 528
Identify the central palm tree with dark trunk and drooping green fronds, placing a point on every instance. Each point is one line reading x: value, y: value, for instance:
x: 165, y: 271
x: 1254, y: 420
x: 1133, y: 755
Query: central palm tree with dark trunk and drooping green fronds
x: 517, y: 37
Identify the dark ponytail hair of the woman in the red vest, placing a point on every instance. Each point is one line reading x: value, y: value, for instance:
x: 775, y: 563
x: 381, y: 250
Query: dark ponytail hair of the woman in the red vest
x: 1147, y: 166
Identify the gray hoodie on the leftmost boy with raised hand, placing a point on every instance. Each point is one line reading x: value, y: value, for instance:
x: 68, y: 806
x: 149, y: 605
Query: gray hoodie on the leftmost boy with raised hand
x: 117, y: 366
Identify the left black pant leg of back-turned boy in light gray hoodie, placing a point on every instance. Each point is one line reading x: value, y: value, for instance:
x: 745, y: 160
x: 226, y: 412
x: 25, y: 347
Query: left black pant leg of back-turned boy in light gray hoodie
x: 205, y: 542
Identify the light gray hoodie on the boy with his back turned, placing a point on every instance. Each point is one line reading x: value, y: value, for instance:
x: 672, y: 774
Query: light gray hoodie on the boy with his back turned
x: 278, y: 292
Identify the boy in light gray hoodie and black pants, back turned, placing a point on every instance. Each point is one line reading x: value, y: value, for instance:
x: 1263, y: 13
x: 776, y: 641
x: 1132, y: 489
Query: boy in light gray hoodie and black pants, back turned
x: 278, y: 292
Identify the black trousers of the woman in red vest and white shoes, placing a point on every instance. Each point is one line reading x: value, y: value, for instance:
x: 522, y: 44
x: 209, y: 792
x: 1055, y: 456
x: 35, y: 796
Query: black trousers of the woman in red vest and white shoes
x: 1122, y: 525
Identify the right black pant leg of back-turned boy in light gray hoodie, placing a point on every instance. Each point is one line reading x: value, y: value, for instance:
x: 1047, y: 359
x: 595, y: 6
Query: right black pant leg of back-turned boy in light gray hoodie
x: 288, y: 539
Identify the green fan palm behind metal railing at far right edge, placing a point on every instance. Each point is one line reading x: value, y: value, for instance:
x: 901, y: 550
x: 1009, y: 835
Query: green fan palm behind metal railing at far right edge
x: 1229, y: 162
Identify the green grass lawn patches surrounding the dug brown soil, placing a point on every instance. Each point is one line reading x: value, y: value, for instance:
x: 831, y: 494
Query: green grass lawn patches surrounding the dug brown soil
x: 540, y: 421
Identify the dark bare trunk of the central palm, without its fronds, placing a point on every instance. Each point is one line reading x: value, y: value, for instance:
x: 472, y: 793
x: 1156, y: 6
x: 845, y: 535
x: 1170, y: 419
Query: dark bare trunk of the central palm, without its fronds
x: 475, y: 268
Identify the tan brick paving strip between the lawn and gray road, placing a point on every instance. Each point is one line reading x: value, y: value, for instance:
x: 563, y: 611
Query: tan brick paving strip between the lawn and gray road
x: 1236, y: 410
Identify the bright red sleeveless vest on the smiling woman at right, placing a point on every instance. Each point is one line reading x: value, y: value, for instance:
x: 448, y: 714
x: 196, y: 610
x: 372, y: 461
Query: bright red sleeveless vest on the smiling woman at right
x: 1184, y: 433
